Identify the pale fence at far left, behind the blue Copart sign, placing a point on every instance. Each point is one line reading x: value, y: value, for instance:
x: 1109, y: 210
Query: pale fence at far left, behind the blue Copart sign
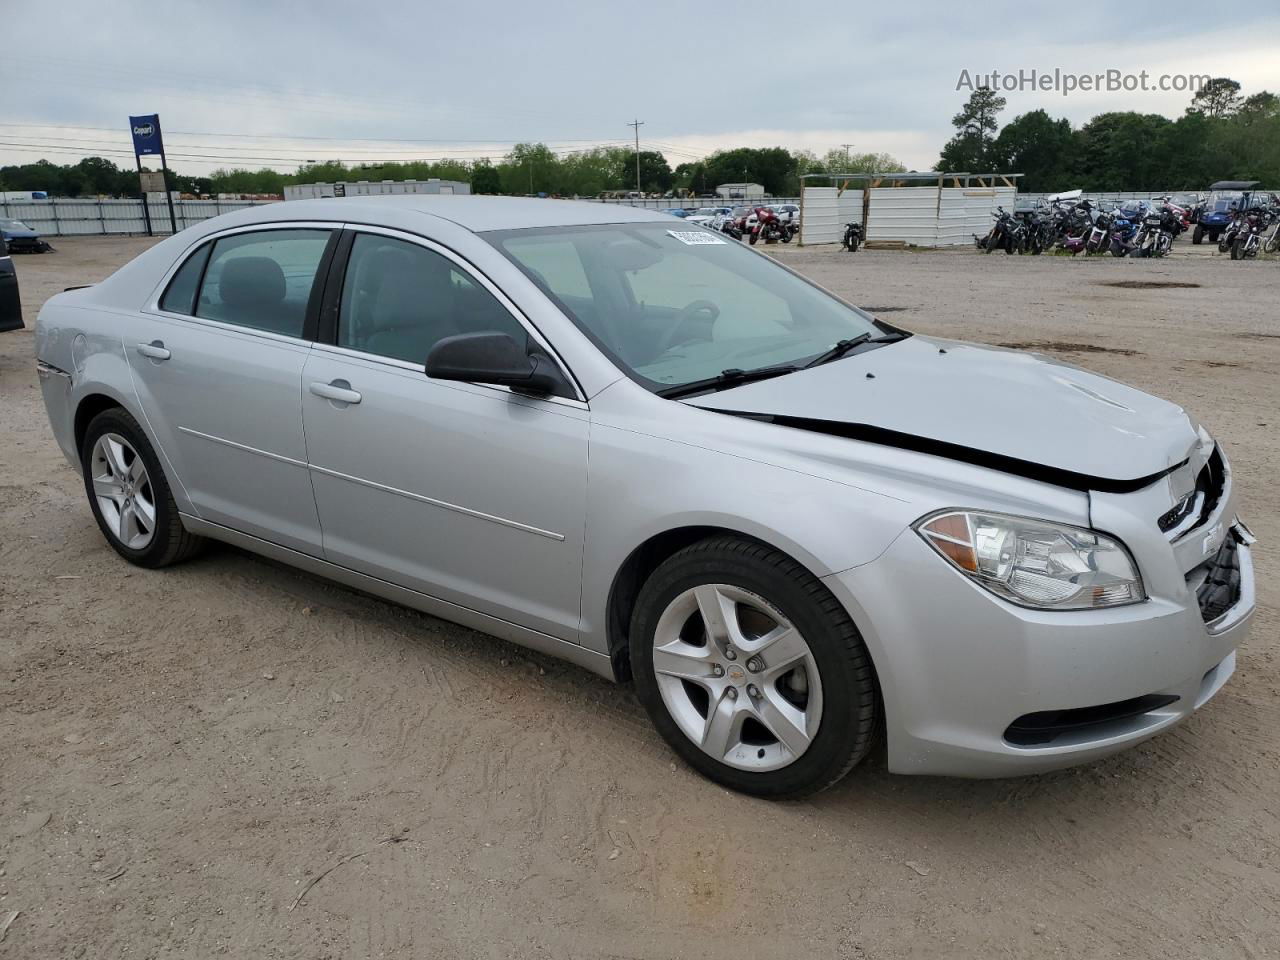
x: 81, y: 218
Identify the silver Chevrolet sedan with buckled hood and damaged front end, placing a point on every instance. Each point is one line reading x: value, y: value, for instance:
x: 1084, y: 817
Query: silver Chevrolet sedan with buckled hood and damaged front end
x: 623, y: 441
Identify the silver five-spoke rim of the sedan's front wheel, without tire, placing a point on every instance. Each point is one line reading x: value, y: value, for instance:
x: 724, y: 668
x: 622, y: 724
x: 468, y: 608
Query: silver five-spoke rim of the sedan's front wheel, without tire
x: 738, y: 678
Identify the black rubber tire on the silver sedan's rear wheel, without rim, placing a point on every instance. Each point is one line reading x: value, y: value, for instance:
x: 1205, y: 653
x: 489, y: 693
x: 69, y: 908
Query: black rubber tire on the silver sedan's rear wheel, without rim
x: 171, y: 542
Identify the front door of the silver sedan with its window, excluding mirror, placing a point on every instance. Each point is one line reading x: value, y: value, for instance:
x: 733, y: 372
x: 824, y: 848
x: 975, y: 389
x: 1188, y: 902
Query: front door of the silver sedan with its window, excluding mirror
x: 468, y: 493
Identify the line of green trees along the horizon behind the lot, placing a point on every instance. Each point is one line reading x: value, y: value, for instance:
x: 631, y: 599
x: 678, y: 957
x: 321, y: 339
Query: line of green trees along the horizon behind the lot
x: 1223, y: 135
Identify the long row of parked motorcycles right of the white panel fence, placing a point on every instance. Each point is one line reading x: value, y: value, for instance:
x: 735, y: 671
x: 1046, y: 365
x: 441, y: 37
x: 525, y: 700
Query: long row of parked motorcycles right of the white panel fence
x: 1132, y: 228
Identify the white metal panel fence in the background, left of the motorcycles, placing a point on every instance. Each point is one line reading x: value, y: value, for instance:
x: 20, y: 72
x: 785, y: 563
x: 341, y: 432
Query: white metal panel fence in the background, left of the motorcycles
x: 922, y: 217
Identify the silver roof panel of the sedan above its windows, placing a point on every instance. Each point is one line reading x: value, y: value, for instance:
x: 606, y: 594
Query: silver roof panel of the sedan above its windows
x: 473, y: 213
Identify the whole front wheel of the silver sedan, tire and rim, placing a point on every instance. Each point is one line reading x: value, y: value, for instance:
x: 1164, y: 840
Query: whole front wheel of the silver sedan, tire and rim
x: 752, y: 670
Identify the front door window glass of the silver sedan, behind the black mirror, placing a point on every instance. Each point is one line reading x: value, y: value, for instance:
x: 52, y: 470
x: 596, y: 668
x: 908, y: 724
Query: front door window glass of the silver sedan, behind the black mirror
x: 400, y: 300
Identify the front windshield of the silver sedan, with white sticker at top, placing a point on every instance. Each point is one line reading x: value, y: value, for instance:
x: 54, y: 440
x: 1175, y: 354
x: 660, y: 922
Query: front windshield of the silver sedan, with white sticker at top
x: 678, y: 307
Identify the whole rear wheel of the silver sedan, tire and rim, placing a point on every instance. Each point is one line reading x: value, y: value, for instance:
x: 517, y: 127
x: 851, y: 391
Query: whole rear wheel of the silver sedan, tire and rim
x: 130, y: 495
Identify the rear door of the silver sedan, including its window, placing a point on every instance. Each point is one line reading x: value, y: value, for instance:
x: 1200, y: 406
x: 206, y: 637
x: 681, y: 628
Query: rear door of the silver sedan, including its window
x: 218, y: 367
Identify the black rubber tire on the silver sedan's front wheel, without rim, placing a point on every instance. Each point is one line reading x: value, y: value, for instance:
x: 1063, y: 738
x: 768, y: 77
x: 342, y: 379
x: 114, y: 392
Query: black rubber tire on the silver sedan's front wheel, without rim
x: 851, y: 701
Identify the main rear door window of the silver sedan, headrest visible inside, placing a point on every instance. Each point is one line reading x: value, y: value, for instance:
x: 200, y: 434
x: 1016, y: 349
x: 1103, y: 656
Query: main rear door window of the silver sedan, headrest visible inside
x: 263, y: 281
